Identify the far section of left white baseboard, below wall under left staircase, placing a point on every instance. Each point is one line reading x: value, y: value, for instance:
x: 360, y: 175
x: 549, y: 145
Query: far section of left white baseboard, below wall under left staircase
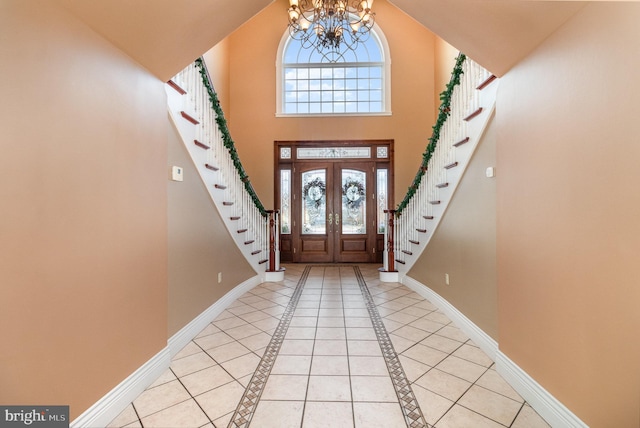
x: 191, y: 330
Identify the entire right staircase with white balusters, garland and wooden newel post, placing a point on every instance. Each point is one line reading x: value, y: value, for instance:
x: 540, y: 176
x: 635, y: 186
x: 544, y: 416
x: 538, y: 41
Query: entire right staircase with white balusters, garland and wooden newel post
x: 466, y: 110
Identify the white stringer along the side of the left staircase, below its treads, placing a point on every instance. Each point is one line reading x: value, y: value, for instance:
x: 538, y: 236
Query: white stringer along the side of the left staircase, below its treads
x: 178, y: 103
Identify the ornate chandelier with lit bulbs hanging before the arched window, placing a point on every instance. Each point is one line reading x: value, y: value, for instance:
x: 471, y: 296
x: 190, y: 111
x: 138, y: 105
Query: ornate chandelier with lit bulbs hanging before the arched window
x: 330, y: 26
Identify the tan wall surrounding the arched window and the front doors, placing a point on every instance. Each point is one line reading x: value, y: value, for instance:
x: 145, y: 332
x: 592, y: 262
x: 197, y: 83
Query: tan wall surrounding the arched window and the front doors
x: 252, y: 120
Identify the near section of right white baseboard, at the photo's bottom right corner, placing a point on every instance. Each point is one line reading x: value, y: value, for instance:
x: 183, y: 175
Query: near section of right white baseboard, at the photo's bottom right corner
x: 547, y: 406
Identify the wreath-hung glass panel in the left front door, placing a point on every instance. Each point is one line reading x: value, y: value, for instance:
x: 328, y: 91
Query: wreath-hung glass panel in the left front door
x: 314, y: 201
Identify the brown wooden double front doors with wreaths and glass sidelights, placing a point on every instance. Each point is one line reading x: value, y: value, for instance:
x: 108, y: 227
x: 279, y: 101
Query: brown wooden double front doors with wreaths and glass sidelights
x: 330, y: 208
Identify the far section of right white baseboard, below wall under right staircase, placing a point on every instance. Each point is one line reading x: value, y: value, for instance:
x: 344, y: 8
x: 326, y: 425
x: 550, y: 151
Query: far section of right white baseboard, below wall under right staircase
x: 475, y: 333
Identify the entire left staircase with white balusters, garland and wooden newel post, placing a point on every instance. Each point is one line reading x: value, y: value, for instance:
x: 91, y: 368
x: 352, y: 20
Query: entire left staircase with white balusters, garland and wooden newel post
x: 196, y: 114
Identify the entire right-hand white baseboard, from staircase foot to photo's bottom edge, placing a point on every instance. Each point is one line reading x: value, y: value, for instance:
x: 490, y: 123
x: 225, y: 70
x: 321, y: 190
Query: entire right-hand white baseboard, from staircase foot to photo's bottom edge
x: 547, y: 406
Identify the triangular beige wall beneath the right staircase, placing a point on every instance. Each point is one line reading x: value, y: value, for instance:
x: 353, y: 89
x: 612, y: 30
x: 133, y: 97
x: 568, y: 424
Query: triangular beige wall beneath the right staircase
x: 464, y: 245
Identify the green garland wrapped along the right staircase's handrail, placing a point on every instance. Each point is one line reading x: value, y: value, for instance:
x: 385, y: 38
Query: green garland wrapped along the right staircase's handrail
x: 444, y: 112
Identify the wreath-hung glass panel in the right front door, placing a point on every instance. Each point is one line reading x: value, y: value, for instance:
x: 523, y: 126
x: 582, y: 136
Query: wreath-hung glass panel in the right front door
x: 354, y: 201
